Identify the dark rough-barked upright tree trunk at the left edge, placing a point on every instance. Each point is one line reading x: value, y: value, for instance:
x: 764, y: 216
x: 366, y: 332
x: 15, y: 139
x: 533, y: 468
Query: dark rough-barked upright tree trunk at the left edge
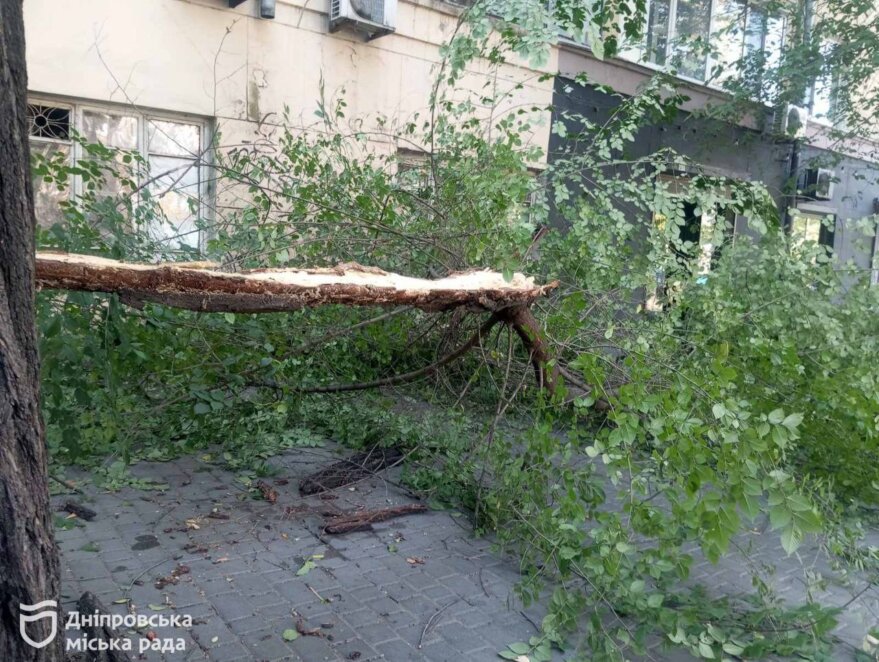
x: 28, y: 556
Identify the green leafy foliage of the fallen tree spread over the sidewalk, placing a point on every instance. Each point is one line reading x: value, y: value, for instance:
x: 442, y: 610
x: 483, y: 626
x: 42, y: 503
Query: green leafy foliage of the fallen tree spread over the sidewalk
x: 712, y: 382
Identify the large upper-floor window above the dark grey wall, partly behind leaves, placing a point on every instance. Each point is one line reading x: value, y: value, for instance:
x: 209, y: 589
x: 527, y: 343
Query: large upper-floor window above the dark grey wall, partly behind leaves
x: 677, y: 33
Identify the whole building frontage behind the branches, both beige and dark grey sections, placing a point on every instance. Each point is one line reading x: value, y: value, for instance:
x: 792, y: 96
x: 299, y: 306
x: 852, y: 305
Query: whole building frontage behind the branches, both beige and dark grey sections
x: 164, y: 76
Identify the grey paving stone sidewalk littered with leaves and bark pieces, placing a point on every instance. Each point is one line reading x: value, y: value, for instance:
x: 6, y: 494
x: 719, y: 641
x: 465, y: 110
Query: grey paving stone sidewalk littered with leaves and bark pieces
x: 417, y: 588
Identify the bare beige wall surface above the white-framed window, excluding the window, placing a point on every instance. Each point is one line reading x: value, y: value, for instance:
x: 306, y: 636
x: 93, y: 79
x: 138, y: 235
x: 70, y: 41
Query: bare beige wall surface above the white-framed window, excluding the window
x: 201, y: 57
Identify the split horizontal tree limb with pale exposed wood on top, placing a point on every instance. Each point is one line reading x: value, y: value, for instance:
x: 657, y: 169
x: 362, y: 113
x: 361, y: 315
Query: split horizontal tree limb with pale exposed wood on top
x: 277, y: 290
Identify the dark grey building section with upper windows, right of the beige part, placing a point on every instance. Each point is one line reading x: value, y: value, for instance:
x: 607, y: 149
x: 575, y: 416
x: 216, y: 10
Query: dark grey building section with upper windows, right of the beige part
x: 821, y: 187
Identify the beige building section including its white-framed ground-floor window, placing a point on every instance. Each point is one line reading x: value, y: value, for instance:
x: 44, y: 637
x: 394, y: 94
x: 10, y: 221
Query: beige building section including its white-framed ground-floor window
x: 163, y: 76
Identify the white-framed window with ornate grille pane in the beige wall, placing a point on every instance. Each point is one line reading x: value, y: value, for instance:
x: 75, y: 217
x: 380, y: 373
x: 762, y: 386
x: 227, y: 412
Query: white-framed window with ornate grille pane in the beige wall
x: 172, y: 146
